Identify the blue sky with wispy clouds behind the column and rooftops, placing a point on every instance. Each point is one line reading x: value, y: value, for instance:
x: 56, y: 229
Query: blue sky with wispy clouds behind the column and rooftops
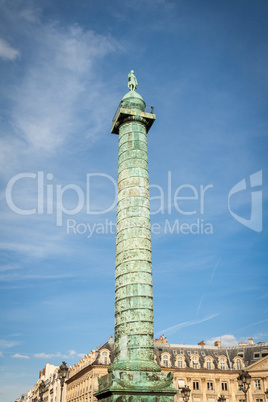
x: 63, y: 72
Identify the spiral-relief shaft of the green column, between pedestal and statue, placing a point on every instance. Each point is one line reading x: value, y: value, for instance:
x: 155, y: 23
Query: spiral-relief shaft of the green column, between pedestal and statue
x: 134, y: 348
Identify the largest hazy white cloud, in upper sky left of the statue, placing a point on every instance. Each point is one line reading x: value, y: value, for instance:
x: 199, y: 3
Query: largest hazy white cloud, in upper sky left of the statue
x: 47, y: 101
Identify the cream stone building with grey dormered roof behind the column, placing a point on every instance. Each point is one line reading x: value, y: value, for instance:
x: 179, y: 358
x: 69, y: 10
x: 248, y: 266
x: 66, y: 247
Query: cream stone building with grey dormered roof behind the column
x: 209, y: 371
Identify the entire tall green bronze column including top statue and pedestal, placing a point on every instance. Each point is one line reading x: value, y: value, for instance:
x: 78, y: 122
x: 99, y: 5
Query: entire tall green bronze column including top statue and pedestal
x: 134, y: 376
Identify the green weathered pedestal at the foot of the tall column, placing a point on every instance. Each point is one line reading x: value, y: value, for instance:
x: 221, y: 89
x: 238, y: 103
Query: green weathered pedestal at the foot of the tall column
x: 136, y: 386
